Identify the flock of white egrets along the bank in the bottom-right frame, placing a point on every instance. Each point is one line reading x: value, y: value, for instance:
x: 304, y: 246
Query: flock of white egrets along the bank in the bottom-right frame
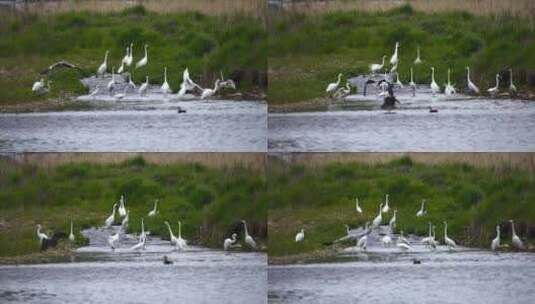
x: 430, y: 241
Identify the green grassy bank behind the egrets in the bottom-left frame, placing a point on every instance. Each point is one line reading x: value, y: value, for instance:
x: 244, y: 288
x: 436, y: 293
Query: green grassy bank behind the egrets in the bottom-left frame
x: 204, y: 199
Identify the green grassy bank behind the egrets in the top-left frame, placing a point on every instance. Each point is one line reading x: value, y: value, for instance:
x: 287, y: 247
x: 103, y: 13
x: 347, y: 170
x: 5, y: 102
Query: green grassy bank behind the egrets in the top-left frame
x: 204, y: 44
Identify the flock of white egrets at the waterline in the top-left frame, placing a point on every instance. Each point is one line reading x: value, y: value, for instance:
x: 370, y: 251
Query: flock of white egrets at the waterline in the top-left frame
x: 130, y: 87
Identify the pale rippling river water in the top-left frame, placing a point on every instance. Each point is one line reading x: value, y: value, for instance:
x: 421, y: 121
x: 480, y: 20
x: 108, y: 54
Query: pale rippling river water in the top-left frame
x: 208, y: 126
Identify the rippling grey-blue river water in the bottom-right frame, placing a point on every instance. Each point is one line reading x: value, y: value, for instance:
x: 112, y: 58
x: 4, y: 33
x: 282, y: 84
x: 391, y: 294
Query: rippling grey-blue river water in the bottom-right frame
x: 442, y: 277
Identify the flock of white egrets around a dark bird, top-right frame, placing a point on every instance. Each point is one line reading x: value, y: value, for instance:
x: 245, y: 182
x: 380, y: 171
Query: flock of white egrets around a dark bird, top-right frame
x: 334, y: 90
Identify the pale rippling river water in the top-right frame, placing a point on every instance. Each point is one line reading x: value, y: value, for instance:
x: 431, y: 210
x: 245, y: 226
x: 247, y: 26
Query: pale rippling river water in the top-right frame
x: 462, y: 124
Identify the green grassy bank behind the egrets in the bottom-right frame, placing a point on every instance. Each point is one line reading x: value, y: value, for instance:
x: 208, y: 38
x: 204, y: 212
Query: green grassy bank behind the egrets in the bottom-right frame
x: 321, y: 200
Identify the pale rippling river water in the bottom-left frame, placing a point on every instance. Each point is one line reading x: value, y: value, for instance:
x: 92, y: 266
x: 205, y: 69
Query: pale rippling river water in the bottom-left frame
x: 97, y: 275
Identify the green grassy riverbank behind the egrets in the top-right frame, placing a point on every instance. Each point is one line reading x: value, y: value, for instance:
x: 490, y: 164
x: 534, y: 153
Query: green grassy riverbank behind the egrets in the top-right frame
x: 307, y: 51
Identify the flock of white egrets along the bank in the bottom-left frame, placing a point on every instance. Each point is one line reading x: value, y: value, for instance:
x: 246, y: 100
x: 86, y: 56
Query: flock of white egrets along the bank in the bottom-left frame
x: 114, y: 238
